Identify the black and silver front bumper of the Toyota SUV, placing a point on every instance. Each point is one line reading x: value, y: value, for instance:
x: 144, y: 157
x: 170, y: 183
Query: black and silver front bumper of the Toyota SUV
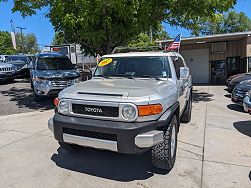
x: 122, y: 137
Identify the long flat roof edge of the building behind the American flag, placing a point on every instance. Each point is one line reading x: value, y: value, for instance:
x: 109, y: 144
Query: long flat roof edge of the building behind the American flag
x: 211, y: 38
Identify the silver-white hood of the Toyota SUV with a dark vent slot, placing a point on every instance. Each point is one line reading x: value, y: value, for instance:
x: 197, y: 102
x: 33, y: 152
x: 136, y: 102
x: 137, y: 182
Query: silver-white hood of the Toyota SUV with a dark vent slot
x: 98, y: 88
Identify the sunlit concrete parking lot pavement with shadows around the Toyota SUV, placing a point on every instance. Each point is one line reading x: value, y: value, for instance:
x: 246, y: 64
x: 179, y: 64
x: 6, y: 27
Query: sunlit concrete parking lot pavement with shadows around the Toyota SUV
x: 214, y: 149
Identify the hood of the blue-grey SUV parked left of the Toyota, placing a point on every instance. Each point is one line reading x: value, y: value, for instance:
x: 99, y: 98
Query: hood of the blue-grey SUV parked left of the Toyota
x: 56, y: 73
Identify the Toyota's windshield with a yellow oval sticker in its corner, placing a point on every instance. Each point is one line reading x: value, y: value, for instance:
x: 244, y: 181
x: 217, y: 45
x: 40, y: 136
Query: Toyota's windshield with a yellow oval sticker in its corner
x: 152, y: 67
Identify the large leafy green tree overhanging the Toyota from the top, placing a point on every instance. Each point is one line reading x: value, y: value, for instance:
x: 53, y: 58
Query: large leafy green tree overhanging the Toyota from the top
x: 100, y: 25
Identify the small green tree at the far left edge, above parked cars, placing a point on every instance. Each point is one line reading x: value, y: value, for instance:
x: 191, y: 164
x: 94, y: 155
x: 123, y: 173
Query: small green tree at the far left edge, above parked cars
x: 6, y: 43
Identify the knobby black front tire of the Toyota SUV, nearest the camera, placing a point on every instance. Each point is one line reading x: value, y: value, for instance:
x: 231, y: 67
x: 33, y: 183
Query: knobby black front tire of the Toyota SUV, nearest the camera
x: 161, y: 153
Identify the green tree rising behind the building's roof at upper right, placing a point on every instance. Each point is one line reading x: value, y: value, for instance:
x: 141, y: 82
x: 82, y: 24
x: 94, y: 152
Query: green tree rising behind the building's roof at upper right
x: 229, y: 22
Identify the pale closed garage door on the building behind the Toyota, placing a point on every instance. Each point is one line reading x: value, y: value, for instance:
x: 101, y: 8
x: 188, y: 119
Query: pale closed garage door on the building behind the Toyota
x: 198, y: 62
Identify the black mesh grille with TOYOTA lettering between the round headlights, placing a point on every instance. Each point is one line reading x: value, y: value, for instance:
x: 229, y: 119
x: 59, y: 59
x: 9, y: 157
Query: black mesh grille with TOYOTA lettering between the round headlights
x: 105, y: 111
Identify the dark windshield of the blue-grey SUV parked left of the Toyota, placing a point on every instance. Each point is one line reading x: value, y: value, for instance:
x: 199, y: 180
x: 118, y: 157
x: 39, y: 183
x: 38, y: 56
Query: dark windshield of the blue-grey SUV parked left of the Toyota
x: 54, y: 64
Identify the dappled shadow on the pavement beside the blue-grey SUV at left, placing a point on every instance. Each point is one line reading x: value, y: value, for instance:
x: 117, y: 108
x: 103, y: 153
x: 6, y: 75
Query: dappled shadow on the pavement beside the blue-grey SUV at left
x: 24, y: 99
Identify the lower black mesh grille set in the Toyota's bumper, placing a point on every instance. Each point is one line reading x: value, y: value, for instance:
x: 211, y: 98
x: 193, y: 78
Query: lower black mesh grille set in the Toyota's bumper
x: 90, y: 134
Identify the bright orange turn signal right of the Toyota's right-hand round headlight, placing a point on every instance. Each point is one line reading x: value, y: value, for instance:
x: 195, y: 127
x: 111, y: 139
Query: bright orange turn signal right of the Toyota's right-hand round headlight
x: 147, y: 110
